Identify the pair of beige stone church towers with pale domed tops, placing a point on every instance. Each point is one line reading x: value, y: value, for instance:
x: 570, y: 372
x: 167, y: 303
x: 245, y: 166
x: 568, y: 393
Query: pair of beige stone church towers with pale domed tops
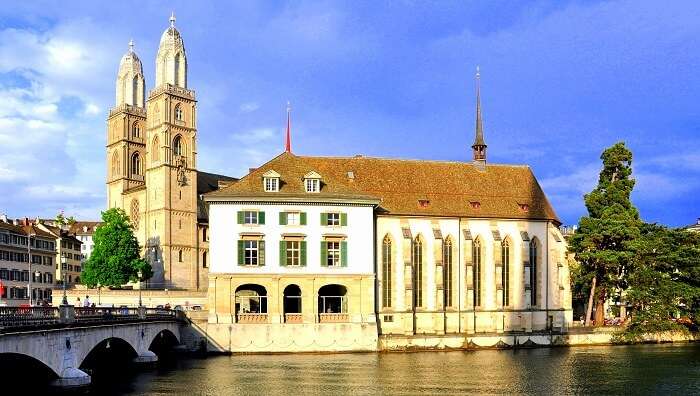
x: 151, y: 165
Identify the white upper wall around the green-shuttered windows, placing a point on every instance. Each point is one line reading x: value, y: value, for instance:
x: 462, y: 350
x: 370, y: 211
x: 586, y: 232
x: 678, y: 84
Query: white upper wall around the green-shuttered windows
x: 225, y: 232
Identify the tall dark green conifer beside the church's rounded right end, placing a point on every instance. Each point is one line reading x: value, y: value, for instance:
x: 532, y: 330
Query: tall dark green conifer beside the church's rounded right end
x: 602, y: 242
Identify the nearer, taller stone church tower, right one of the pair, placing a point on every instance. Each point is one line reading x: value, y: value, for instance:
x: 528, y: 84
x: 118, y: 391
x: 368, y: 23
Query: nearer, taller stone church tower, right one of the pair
x: 171, y: 176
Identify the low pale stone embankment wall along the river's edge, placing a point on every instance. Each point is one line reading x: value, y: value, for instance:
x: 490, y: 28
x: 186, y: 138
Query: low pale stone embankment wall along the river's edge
x: 325, y: 338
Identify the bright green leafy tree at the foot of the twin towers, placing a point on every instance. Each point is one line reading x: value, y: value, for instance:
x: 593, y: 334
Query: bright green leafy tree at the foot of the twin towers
x: 115, y: 259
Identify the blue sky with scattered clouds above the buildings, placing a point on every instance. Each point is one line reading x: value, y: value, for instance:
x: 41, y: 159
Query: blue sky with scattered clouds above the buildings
x: 560, y: 82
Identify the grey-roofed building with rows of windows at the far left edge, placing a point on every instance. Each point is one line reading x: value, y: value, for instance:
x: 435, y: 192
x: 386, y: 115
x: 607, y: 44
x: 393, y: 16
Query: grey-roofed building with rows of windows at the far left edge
x: 20, y: 243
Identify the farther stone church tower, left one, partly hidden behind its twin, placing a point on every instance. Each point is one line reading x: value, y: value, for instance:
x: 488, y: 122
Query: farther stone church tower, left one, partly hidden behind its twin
x: 126, y: 126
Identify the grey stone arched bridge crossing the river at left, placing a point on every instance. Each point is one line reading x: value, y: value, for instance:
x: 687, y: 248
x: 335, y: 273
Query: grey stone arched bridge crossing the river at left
x: 65, y: 349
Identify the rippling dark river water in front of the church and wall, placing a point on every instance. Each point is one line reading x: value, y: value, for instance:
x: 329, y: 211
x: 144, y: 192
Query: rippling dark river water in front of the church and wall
x: 644, y: 369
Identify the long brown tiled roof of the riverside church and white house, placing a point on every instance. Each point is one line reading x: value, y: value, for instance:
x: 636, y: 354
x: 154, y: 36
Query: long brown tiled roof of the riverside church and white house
x: 407, y: 187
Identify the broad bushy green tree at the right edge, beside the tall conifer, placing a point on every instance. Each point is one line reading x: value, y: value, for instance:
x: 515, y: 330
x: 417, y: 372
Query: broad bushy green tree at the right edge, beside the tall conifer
x: 664, y: 280
